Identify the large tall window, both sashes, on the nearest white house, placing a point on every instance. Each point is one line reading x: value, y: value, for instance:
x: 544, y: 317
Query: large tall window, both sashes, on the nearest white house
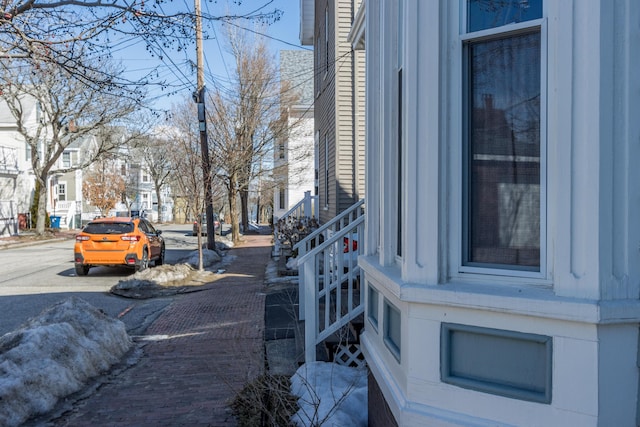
x: 503, y: 150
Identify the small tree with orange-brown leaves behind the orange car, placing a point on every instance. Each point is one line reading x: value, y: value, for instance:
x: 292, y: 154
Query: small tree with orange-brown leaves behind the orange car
x: 103, y: 185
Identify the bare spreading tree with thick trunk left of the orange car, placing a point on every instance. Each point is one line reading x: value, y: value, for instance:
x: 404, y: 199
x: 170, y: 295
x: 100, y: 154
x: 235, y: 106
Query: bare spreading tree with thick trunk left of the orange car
x: 68, y: 112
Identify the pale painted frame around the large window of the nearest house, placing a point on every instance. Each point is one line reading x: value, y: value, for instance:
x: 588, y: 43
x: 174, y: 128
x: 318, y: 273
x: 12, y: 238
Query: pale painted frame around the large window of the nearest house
x: 458, y: 268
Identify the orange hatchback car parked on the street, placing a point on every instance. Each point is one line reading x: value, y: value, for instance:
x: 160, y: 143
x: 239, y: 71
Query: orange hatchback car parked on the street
x: 118, y: 241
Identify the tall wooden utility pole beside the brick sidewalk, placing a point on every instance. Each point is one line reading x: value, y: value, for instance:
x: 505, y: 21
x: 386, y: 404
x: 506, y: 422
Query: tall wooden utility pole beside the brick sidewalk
x: 199, y: 97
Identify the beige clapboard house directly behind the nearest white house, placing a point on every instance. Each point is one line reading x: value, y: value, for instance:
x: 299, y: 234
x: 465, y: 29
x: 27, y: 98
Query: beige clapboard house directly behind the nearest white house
x: 339, y: 103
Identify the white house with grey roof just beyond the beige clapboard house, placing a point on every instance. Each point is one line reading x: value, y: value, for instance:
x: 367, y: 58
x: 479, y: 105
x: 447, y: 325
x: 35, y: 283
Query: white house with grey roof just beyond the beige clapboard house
x: 294, y: 157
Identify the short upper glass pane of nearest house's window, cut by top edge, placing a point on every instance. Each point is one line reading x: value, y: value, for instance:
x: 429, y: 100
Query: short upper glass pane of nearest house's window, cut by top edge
x: 484, y: 14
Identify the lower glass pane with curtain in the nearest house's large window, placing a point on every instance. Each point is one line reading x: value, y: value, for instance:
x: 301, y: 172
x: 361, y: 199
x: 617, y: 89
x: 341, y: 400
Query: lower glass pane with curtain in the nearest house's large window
x: 503, y: 187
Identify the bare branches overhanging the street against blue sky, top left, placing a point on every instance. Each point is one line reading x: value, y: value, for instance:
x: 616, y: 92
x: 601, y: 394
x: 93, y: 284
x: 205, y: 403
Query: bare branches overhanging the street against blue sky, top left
x: 42, y: 30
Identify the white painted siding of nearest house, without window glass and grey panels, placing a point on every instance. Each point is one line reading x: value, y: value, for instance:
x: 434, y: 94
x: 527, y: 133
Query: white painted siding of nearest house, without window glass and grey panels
x: 586, y: 298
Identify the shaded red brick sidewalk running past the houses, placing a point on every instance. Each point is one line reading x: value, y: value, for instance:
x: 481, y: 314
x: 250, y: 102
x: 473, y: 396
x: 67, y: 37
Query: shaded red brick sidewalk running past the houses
x: 202, y: 350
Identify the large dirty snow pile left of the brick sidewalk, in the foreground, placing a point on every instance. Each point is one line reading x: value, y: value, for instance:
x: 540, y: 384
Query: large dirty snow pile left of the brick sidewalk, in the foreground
x: 53, y: 355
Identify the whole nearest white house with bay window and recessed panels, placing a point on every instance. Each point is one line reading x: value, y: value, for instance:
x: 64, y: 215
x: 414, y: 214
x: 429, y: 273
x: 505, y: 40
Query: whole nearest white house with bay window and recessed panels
x: 502, y: 261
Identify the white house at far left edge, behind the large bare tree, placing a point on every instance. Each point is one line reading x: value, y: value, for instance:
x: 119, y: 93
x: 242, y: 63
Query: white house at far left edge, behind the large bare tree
x: 16, y: 179
